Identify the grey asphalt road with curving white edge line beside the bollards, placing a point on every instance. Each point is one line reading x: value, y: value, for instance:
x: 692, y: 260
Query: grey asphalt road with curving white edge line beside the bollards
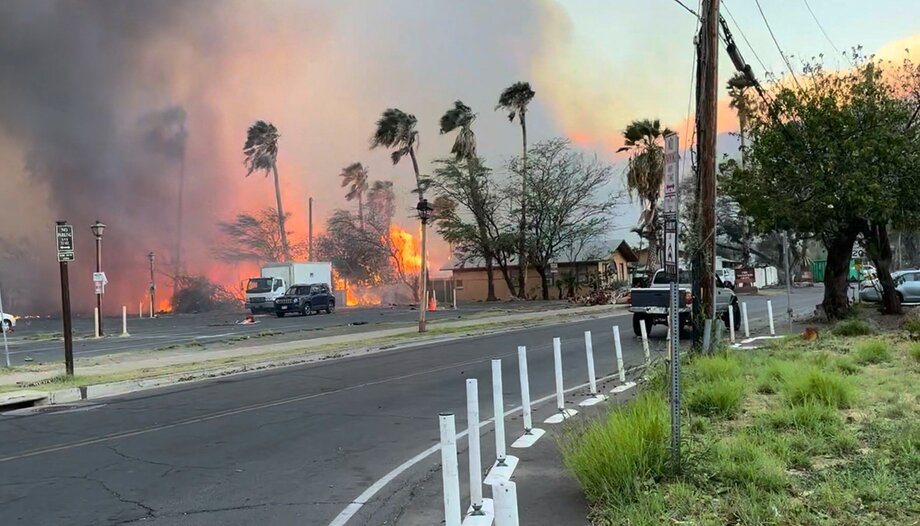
x: 287, y: 446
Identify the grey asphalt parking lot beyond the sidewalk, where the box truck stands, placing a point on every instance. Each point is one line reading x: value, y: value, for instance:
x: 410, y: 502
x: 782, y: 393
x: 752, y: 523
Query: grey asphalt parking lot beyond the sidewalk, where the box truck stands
x: 39, y: 340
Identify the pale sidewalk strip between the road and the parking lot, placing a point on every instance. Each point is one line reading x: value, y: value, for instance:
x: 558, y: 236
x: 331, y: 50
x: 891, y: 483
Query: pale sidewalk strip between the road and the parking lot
x: 190, y: 358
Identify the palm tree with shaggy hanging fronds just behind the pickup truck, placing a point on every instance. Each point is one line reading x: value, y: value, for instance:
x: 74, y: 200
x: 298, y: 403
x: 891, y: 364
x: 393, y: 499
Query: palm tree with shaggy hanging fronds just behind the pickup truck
x: 644, y: 177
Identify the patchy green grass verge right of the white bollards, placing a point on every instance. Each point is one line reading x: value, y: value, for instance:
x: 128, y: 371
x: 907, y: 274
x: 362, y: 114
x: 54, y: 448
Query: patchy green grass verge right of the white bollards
x: 822, y: 436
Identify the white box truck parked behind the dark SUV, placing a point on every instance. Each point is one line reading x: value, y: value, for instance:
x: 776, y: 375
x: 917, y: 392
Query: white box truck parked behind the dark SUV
x: 275, y: 278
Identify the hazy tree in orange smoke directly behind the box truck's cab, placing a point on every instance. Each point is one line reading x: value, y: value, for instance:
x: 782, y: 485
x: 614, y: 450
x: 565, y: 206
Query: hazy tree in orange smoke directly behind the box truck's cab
x: 255, y: 237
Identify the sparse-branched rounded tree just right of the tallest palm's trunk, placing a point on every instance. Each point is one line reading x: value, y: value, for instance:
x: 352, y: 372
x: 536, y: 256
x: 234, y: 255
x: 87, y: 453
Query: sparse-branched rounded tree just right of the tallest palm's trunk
x: 570, y: 199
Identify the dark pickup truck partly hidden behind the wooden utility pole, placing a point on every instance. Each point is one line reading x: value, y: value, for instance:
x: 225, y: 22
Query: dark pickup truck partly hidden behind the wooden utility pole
x: 651, y: 304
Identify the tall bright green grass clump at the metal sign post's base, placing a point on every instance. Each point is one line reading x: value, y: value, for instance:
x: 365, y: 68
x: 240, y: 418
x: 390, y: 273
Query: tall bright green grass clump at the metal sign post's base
x: 613, y: 460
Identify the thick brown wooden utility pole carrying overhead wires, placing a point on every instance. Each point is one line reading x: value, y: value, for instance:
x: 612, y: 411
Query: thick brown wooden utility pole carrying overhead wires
x: 708, y: 64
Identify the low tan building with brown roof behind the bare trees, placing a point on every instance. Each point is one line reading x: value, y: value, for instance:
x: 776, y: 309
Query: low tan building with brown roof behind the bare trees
x: 596, y: 267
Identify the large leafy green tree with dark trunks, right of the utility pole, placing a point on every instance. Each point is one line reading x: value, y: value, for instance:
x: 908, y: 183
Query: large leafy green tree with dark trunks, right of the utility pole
x: 837, y: 158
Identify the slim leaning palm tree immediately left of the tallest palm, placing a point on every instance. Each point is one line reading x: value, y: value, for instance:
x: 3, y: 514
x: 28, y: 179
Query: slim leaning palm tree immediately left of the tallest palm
x: 461, y: 118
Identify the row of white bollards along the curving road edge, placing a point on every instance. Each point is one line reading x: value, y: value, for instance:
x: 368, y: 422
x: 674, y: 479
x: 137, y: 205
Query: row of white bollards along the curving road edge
x: 502, y: 508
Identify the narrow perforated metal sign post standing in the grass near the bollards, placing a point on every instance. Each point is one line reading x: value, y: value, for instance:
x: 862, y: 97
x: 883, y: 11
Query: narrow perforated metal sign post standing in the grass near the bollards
x: 671, y: 269
